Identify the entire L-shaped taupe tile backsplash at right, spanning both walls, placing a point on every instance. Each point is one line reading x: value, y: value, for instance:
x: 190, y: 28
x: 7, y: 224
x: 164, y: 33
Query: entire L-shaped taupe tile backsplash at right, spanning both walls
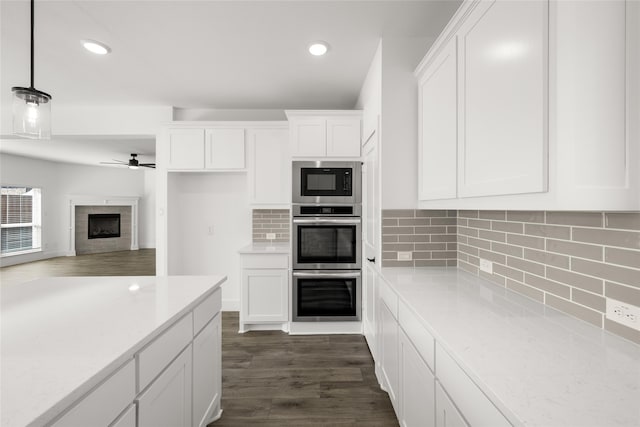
x: 571, y: 261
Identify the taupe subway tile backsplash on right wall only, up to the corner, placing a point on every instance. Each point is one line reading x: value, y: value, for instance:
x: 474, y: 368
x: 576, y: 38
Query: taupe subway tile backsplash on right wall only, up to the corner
x: 571, y: 261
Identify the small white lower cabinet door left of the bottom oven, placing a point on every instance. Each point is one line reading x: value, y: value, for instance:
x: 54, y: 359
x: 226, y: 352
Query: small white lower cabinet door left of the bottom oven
x: 265, y: 295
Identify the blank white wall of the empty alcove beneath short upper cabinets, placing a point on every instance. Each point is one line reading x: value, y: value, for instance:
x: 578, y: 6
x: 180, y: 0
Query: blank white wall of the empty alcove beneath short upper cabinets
x: 209, y: 220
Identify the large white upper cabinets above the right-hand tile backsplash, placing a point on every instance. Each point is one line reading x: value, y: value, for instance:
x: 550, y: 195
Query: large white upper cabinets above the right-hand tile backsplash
x: 548, y: 107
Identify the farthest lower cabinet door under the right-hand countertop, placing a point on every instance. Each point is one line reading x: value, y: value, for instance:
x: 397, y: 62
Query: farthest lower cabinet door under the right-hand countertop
x: 388, y: 351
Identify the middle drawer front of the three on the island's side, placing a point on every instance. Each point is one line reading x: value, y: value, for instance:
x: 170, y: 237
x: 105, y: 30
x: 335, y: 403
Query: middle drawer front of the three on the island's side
x: 157, y: 355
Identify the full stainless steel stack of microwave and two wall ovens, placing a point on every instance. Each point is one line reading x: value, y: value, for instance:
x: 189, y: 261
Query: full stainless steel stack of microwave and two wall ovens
x: 327, y: 241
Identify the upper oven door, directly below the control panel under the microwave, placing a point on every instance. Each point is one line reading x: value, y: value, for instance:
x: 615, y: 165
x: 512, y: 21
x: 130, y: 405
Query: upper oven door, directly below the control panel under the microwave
x: 327, y: 243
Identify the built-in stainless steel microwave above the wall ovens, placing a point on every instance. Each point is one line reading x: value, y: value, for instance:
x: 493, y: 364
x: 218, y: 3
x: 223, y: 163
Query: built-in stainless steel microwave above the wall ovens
x: 321, y: 182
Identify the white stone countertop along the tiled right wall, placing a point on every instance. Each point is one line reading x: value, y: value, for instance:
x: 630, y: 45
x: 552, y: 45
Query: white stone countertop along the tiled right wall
x: 539, y: 366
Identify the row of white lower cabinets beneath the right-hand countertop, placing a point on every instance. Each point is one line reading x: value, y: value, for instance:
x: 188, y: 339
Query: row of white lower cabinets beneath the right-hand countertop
x: 425, y: 384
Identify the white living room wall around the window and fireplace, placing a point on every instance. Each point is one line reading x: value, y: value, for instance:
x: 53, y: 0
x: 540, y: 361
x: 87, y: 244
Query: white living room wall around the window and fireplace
x: 60, y: 180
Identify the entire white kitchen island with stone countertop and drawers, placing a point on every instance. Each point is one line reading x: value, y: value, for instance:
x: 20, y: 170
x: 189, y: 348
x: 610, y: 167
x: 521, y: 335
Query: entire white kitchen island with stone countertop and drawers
x: 111, y: 351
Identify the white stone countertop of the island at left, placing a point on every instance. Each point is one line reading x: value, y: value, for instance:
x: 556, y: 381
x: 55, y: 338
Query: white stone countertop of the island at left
x: 61, y: 336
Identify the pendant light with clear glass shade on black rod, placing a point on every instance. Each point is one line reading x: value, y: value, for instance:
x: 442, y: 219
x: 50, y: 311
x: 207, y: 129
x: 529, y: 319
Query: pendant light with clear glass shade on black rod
x: 31, y: 107
